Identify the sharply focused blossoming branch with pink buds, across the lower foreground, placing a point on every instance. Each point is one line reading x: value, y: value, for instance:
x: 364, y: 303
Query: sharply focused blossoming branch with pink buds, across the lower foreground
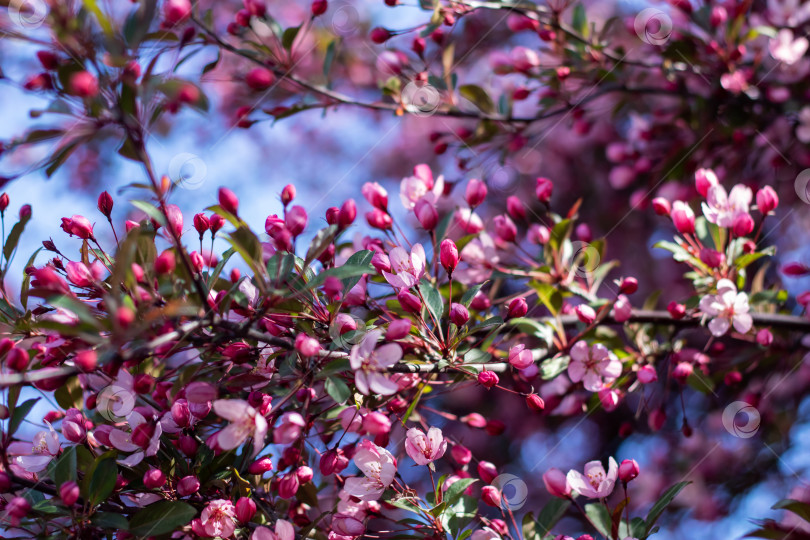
x: 239, y: 412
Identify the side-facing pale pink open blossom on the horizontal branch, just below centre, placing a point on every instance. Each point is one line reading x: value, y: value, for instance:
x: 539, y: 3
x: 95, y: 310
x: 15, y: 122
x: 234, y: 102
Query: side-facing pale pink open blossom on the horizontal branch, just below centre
x: 368, y: 361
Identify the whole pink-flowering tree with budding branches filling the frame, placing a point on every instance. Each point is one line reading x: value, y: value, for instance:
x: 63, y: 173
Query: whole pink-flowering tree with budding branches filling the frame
x: 361, y: 373
